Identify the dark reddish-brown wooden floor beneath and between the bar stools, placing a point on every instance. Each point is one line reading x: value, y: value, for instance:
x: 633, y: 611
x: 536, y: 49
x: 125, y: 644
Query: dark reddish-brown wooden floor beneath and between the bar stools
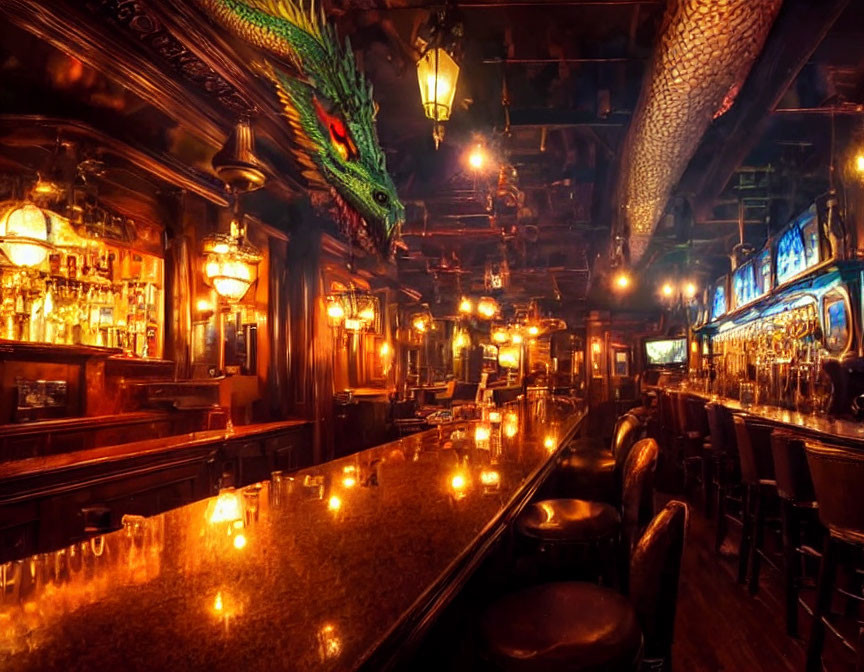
x: 719, y: 627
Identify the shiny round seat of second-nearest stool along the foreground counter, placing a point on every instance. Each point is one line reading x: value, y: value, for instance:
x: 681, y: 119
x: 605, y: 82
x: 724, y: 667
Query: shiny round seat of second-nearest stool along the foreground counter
x: 571, y: 520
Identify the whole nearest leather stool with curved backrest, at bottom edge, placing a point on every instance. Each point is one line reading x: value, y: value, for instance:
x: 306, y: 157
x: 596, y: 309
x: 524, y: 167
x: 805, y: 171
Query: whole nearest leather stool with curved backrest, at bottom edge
x: 581, y: 627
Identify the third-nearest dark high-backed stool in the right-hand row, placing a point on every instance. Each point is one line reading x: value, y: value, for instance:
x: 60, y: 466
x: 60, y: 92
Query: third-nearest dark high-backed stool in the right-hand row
x: 757, y: 475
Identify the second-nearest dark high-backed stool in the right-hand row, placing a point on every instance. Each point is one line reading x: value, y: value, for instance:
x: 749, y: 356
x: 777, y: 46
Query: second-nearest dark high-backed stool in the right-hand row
x: 798, y: 509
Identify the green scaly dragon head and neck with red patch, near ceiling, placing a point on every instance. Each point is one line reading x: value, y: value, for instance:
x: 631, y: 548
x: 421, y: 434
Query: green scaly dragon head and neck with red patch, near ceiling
x: 328, y: 104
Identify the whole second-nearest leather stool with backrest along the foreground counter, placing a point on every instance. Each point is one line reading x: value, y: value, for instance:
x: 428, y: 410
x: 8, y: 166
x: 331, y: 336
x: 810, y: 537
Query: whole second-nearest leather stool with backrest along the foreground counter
x: 560, y: 528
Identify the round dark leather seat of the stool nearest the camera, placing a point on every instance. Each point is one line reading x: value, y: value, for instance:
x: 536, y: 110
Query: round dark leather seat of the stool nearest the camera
x: 535, y: 629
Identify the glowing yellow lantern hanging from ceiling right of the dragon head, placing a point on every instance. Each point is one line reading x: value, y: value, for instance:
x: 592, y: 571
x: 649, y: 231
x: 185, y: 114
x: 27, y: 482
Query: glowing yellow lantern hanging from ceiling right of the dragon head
x: 437, y: 69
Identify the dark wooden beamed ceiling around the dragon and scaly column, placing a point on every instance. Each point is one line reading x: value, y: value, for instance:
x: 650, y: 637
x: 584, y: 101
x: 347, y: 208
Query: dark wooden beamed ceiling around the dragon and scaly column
x: 573, y: 71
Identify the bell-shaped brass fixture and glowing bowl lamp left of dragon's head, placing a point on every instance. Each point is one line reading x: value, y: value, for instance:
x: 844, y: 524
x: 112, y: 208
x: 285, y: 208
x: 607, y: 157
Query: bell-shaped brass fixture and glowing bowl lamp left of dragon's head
x: 231, y: 262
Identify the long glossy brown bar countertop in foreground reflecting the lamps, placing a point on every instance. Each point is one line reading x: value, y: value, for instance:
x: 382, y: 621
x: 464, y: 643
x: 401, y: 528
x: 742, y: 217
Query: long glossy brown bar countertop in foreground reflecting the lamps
x: 336, y: 567
